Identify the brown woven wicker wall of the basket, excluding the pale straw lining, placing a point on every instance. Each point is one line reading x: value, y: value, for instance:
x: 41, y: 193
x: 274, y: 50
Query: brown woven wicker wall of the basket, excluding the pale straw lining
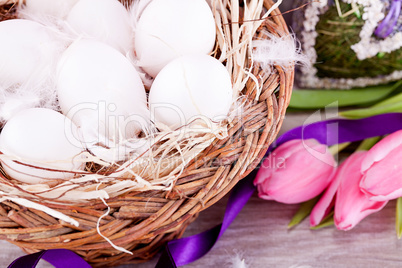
x: 142, y: 222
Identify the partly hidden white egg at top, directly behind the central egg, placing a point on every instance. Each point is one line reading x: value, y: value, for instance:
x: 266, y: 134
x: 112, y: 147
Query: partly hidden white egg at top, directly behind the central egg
x: 105, y: 20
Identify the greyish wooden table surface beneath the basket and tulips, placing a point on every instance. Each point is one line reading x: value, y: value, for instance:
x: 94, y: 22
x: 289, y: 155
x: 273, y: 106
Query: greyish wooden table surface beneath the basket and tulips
x: 260, y: 235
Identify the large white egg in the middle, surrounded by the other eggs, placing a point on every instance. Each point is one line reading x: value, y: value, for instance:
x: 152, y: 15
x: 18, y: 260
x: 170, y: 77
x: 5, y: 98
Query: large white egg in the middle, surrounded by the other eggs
x: 100, y: 90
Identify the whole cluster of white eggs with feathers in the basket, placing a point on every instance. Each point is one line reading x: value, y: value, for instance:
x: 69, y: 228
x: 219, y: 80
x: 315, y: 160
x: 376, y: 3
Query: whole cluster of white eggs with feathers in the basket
x: 102, y: 100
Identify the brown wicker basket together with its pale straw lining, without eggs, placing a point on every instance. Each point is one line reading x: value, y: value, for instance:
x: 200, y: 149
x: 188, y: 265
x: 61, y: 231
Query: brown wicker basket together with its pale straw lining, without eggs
x: 124, y: 213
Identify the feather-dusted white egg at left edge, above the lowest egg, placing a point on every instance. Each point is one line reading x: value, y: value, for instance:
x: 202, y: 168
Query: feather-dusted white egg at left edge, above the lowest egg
x: 29, y: 52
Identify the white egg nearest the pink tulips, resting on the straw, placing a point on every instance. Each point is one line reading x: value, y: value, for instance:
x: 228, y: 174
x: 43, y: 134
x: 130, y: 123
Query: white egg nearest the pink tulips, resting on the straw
x: 189, y: 87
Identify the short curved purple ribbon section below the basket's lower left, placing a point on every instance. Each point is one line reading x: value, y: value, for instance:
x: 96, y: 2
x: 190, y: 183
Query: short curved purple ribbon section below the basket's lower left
x: 60, y: 258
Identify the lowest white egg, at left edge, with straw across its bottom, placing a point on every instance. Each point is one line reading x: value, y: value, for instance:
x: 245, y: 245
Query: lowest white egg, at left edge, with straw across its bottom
x: 42, y: 138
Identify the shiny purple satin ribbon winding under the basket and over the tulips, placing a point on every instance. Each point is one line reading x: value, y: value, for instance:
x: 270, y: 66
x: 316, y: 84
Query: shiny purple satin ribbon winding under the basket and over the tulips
x: 186, y: 250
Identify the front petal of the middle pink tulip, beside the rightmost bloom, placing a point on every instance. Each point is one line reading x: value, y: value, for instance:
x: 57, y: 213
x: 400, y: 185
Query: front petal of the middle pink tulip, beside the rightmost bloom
x: 352, y: 205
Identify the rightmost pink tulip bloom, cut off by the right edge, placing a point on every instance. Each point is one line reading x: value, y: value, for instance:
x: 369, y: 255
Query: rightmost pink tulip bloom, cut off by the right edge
x: 382, y: 169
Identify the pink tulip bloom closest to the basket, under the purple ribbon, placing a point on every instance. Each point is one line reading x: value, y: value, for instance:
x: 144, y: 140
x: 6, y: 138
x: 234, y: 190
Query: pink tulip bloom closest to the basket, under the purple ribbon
x: 295, y: 172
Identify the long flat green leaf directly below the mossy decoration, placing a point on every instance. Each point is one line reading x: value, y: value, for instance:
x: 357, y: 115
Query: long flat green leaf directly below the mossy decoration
x: 315, y: 99
